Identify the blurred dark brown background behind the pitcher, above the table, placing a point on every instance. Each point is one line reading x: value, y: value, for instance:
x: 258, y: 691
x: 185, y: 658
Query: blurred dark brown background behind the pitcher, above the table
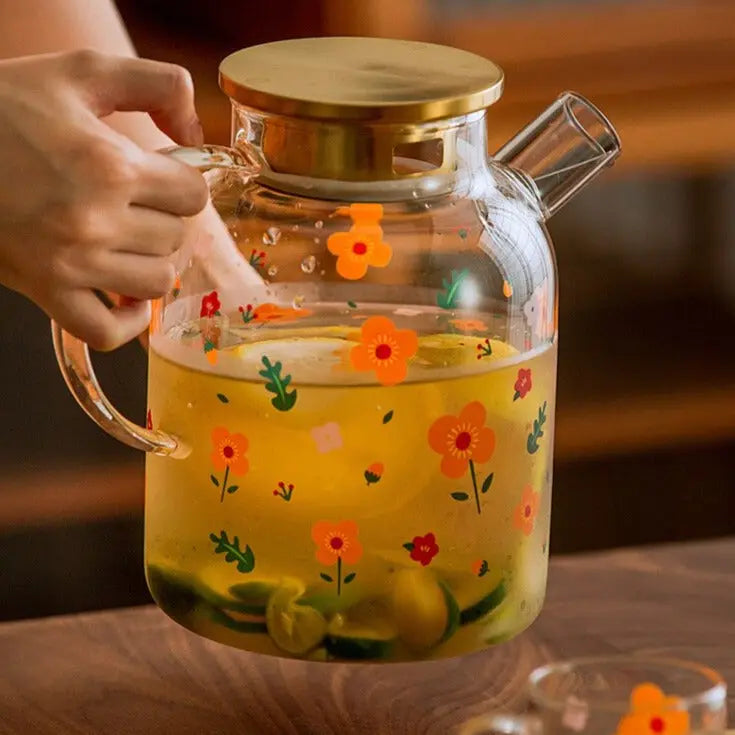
x: 646, y: 404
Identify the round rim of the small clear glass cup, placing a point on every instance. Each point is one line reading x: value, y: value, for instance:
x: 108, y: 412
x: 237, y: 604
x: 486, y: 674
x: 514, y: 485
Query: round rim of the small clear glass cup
x: 716, y: 691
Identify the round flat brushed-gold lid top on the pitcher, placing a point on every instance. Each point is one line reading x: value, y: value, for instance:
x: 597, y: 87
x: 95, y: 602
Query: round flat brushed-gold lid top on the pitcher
x: 360, y: 79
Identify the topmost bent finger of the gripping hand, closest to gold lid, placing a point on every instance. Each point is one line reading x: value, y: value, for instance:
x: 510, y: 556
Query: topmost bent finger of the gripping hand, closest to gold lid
x: 121, y: 83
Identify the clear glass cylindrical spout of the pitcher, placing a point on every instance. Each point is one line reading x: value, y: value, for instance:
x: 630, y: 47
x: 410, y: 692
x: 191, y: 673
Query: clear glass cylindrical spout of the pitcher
x: 562, y: 150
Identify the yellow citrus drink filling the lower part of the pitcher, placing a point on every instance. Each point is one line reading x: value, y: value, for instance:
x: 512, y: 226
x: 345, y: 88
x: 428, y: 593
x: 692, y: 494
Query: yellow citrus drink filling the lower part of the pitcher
x: 348, y: 450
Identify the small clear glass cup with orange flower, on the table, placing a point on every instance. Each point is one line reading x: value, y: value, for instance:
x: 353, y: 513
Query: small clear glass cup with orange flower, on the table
x: 623, y: 695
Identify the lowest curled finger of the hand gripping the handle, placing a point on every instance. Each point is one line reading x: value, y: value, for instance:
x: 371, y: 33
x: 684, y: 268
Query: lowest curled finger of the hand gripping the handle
x: 82, y: 314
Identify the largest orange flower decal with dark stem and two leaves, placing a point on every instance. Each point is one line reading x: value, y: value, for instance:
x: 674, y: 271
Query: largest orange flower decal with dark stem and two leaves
x: 463, y: 440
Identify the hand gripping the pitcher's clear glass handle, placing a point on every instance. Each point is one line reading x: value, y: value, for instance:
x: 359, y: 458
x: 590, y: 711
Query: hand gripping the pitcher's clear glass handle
x: 82, y: 208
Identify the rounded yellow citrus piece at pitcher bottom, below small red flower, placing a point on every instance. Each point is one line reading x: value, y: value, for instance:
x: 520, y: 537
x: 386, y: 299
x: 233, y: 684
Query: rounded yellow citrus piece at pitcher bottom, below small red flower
x: 425, y: 612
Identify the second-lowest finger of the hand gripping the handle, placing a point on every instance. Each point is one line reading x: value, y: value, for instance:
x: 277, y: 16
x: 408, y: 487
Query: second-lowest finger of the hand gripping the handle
x: 138, y: 276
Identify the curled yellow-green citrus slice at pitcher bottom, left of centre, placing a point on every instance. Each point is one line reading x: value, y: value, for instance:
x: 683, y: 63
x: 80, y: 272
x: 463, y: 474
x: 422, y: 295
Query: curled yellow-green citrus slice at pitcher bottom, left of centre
x: 294, y: 628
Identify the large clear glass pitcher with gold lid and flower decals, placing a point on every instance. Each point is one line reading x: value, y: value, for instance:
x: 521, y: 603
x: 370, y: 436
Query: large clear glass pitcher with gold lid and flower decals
x: 352, y: 384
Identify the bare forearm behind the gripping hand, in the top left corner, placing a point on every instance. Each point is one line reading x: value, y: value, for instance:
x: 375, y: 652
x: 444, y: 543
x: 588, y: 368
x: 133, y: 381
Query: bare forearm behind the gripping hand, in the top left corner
x: 72, y: 24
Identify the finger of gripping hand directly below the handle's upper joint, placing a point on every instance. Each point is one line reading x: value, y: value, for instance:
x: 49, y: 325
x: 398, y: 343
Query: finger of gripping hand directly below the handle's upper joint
x: 169, y: 185
